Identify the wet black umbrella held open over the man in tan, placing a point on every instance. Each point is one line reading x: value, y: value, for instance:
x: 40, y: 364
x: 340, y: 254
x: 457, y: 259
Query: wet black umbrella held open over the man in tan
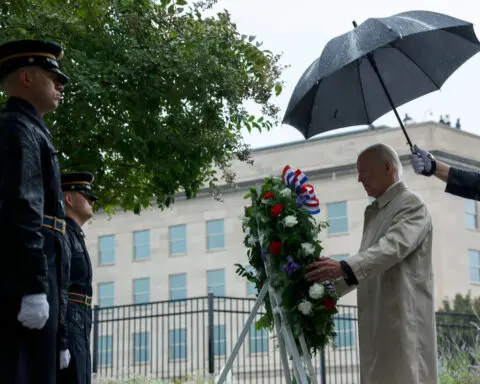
x: 381, y: 64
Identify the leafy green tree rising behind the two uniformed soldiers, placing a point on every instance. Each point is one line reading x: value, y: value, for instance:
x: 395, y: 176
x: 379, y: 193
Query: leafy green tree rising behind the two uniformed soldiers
x: 157, y: 93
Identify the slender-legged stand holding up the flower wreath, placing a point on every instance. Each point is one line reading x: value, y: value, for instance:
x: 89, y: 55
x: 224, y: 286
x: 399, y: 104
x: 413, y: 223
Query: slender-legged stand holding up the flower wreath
x: 286, y: 340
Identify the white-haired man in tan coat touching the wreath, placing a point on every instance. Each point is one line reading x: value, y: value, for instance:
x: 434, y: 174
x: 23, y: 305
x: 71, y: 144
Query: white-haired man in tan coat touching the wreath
x: 394, y: 275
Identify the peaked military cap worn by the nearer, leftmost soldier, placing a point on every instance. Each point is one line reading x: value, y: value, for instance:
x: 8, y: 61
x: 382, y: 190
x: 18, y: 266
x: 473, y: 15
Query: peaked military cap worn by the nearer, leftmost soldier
x: 40, y: 53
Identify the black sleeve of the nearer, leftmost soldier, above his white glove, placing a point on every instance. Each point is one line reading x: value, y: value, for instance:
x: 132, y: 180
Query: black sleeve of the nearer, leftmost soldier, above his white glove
x: 22, y: 195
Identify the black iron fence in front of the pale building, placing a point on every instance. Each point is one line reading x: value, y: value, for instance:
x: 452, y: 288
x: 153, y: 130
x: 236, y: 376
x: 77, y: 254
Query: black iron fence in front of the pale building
x: 173, y: 339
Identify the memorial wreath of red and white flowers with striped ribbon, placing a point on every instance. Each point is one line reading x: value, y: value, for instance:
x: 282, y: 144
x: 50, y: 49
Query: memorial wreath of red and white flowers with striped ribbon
x: 281, y: 235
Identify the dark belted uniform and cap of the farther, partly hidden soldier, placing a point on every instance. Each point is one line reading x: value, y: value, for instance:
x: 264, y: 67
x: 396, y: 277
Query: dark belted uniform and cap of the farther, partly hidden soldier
x: 79, y: 309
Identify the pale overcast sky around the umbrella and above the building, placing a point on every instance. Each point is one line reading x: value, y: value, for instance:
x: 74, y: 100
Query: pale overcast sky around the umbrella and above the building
x: 299, y: 29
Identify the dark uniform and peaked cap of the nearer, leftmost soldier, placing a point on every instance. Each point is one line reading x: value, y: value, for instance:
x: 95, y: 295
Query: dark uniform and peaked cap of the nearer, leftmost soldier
x: 31, y: 223
